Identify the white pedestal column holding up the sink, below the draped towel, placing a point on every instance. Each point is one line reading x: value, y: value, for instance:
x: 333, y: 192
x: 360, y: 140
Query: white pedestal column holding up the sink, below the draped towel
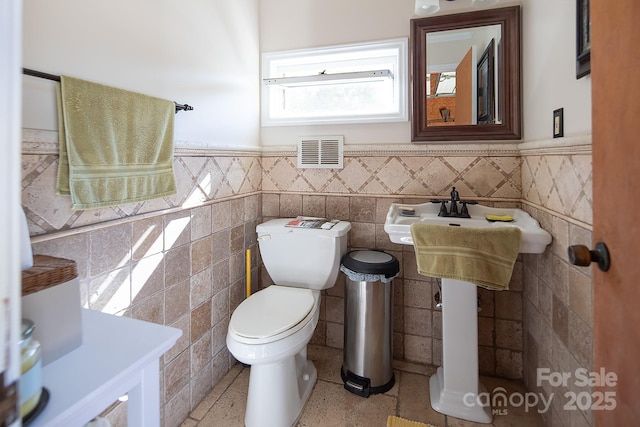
x: 458, y: 376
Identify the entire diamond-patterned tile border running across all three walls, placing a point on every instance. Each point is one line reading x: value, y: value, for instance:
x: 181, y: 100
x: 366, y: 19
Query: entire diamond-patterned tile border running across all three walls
x: 555, y: 178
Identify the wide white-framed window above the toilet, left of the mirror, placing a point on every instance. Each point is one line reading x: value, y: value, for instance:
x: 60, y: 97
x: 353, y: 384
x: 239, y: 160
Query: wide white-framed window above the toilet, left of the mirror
x: 357, y: 83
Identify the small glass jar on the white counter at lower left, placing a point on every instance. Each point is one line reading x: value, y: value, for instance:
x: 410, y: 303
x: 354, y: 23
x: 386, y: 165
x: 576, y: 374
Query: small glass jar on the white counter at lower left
x: 31, y: 369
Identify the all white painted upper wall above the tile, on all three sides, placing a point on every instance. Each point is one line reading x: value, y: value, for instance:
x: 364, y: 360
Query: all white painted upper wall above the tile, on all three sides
x: 206, y: 54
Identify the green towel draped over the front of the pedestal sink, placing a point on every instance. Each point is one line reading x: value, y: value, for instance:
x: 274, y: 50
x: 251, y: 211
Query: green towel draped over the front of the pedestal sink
x: 477, y: 255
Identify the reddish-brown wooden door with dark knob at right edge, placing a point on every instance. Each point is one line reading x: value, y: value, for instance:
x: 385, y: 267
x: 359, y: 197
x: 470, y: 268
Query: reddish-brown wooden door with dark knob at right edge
x: 615, y: 63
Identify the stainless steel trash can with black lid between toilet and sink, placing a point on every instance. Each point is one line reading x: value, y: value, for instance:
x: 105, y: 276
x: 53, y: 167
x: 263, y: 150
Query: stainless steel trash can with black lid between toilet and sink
x: 368, y: 327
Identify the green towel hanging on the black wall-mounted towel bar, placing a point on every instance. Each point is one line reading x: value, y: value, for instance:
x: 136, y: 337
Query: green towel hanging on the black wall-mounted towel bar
x: 116, y: 146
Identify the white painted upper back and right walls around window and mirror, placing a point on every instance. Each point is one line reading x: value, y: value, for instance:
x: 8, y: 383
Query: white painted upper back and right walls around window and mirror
x: 548, y: 59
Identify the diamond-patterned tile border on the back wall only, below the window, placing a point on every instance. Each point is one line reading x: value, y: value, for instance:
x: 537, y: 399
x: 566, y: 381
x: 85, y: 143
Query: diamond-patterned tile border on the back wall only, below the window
x: 473, y: 176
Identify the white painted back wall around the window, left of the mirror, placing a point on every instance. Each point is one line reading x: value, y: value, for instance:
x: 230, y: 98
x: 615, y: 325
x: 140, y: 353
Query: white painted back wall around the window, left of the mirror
x: 295, y: 24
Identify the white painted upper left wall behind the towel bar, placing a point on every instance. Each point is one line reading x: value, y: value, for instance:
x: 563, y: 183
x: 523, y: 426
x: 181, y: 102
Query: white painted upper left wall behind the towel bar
x: 198, y: 52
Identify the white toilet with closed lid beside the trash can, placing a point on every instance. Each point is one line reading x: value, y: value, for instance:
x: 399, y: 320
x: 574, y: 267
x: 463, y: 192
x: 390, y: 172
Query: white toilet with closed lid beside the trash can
x: 270, y: 330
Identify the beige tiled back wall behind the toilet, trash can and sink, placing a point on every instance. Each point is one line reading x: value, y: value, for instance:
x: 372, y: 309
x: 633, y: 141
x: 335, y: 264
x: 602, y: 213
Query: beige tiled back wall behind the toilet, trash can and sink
x: 361, y: 193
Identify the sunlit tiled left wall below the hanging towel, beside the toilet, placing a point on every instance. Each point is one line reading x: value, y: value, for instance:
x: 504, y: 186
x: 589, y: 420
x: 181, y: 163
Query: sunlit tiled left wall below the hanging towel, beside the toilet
x: 177, y: 261
